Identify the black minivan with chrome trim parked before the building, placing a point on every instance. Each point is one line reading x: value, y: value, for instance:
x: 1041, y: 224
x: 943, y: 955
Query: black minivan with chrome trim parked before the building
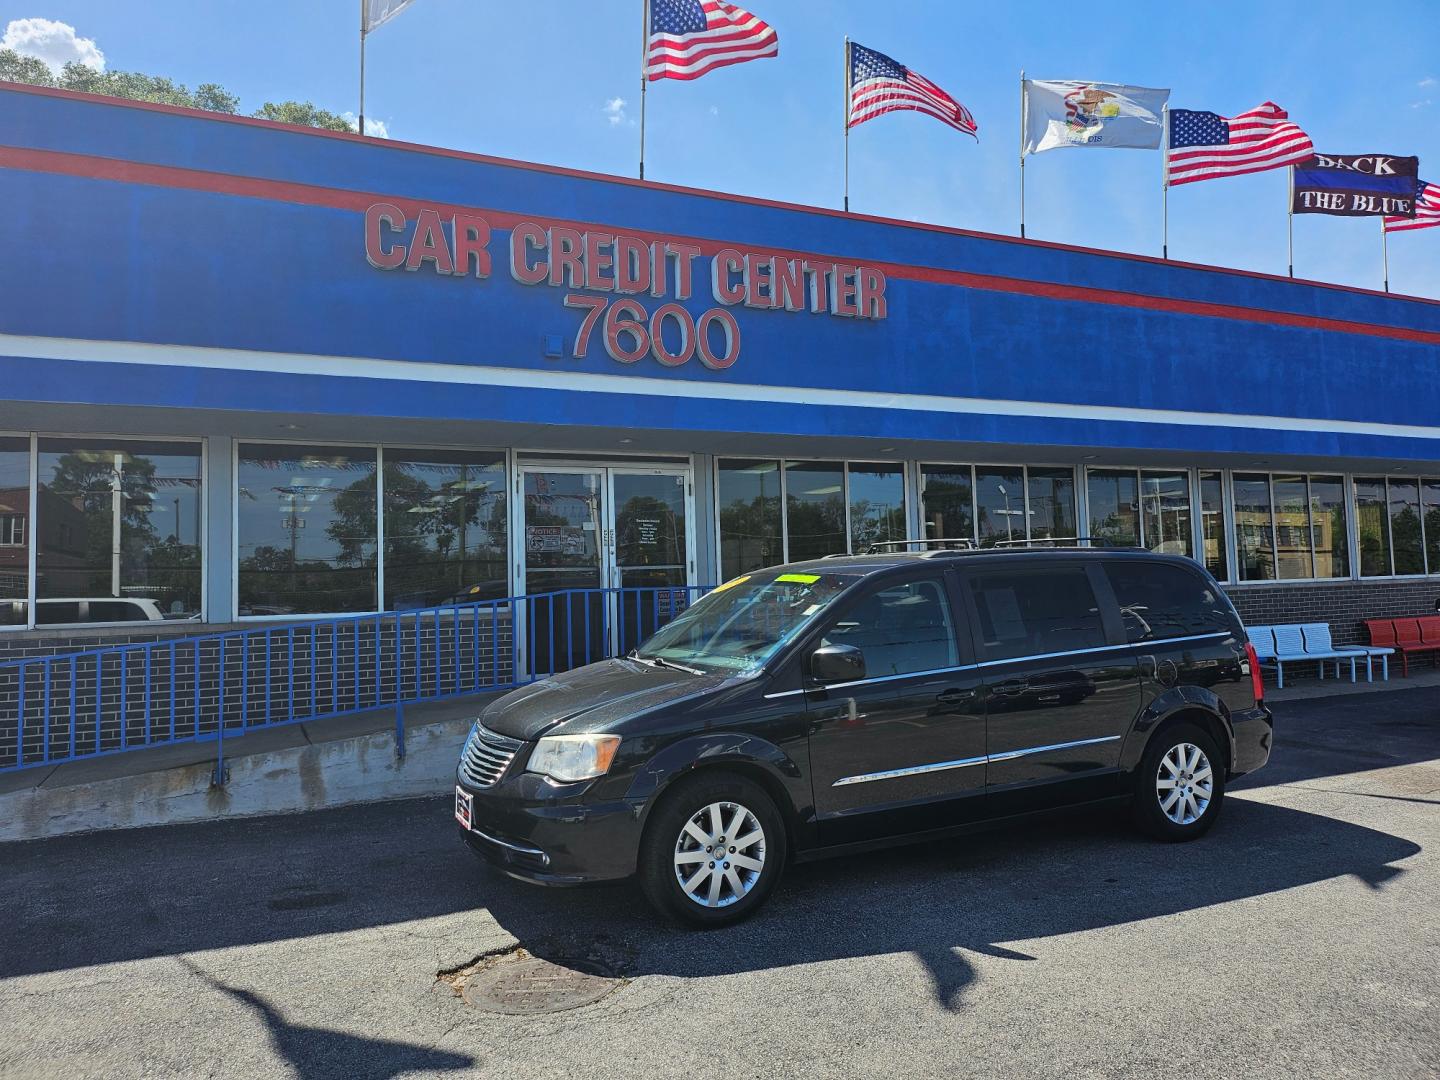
x: 823, y: 708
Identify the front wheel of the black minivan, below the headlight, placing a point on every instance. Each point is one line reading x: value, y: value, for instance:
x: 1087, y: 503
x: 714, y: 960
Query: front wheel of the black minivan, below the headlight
x: 714, y: 850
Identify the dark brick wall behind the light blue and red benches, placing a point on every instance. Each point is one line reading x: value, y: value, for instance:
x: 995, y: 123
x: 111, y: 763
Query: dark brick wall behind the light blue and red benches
x: 1341, y: 604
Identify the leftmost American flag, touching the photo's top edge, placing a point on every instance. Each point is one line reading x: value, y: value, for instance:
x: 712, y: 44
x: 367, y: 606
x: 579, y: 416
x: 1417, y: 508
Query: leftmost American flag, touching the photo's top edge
x: 689, y: 38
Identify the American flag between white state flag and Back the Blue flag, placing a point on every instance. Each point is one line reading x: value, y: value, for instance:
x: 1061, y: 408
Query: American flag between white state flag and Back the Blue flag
x: 1205, y: 146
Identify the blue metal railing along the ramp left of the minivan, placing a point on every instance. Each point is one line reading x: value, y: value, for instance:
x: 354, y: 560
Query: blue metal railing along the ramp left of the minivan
x: 215, y: 688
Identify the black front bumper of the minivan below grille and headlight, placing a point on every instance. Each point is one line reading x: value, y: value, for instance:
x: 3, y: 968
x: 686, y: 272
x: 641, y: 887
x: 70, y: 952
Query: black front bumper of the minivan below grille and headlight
x: 552, y: 834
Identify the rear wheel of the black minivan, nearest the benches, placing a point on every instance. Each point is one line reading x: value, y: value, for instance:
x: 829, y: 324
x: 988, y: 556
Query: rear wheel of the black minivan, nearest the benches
x: 1180, y: 786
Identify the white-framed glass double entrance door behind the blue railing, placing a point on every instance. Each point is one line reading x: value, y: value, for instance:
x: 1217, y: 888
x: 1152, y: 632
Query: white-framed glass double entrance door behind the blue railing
x: 607, y: 557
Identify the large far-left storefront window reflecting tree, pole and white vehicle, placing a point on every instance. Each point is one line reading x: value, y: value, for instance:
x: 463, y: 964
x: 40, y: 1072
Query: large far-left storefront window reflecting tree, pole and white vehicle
x: 119, y: 531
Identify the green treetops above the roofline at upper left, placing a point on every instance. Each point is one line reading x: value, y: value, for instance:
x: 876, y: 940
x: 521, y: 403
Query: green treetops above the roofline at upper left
x: 155, y: 89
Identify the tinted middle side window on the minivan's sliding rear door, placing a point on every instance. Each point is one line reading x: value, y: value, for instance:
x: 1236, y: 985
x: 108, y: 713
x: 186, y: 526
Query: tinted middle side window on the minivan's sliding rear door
x: 1032, y: 613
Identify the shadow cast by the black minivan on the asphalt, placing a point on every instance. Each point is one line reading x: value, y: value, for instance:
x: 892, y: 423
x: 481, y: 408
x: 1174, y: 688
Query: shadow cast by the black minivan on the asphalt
x: 976, y: 895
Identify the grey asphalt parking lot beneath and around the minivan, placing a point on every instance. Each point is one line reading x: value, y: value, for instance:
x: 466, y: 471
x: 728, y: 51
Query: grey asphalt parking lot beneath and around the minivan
x: 1301, y: 938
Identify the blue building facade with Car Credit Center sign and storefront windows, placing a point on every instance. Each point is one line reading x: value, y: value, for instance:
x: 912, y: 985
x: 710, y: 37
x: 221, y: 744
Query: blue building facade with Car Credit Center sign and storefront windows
x: 253, y: 372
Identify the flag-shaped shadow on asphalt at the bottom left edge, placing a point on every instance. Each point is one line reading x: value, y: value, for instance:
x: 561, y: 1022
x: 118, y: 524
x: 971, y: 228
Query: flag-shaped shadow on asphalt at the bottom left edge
x: 328, y: 1053
